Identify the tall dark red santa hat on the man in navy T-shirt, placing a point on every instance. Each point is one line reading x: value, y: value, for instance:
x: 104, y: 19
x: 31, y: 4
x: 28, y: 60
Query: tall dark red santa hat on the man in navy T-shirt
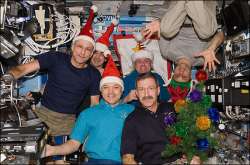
x: 86, y: 33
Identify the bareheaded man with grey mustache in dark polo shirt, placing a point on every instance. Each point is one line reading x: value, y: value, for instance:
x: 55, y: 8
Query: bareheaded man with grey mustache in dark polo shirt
x: 144, y: 137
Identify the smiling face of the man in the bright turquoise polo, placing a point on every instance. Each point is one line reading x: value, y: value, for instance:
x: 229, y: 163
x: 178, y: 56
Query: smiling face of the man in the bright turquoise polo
x: 111, y: 93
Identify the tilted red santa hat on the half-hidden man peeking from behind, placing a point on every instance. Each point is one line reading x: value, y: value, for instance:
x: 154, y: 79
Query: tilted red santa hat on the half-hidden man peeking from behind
x: 102, y: 43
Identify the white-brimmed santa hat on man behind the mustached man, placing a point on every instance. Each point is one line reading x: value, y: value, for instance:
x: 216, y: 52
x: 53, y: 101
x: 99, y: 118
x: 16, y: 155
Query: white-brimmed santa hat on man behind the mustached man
x: 141, y: 52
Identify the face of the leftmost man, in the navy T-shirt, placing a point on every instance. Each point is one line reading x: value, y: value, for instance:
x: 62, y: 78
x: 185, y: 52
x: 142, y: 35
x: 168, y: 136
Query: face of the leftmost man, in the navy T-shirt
x: 81, y: 52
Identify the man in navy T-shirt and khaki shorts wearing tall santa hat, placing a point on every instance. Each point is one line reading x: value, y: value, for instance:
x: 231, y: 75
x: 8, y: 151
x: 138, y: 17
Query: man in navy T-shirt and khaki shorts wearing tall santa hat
x: 70, y: 77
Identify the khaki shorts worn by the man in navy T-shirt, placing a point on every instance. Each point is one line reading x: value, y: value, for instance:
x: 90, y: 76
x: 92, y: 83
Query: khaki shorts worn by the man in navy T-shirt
x: 58, y: 123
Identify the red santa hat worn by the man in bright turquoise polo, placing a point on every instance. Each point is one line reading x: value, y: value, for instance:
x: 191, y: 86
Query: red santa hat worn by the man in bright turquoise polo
x: 111, y: 74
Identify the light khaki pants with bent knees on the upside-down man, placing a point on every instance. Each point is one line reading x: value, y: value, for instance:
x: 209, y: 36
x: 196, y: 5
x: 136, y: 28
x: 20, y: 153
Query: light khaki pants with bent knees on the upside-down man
x: 201, y: 13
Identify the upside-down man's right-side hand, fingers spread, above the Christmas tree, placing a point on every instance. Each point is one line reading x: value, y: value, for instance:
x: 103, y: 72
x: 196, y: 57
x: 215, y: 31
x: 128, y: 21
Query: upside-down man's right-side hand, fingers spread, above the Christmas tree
x: 209, y: 59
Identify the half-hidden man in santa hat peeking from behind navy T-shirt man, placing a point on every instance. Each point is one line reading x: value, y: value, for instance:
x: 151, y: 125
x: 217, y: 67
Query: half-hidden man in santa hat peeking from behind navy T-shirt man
x: 98, y: 59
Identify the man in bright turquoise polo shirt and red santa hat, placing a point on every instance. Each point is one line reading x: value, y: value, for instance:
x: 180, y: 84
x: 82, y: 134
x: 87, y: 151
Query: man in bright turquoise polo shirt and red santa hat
x: 99, y: 127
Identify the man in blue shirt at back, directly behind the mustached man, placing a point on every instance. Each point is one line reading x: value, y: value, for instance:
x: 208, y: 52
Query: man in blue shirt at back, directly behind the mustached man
x: 143, y: 61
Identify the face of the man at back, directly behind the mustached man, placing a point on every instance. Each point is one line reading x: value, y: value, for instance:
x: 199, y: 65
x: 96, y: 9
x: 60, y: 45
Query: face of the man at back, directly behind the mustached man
x: 143, y: 65
